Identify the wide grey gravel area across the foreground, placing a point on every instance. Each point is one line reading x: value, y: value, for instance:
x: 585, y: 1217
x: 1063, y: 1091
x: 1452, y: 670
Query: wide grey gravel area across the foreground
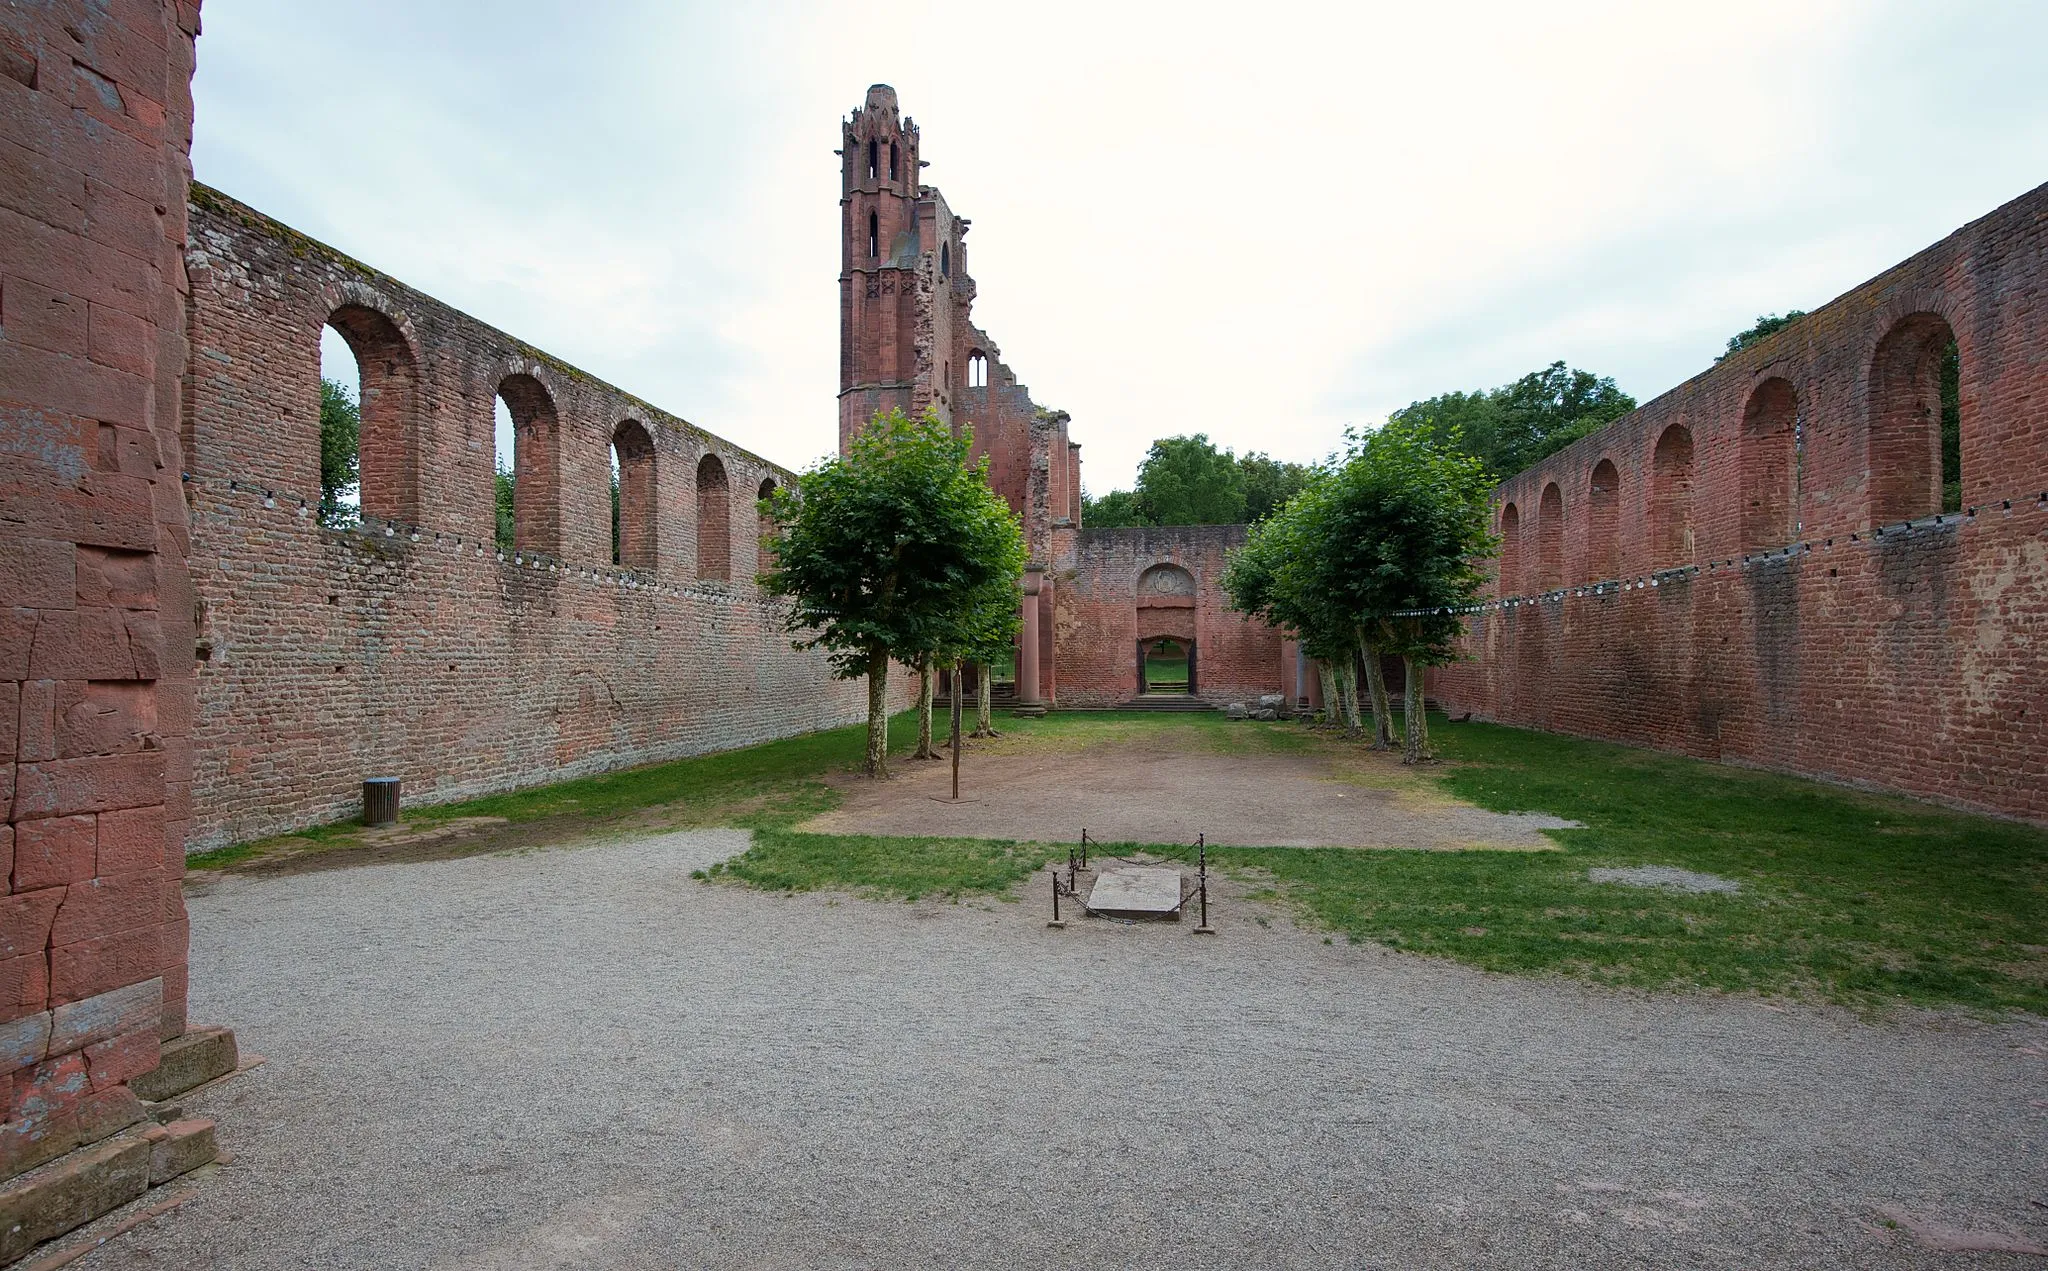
x: 583, y: 1059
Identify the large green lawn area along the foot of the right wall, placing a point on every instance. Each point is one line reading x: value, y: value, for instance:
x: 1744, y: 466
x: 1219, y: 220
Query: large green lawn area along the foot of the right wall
x: 1848, y: 897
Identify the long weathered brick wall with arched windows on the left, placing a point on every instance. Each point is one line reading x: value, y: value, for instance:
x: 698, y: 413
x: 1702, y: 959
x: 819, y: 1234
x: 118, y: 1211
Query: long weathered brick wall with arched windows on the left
x: 413, y: 646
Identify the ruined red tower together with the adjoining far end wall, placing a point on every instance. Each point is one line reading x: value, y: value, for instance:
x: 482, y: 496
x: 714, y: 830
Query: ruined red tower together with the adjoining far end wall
x: 908, y: 343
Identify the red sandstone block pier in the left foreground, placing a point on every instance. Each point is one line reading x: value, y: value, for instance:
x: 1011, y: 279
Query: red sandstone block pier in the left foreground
x: 95, y: 601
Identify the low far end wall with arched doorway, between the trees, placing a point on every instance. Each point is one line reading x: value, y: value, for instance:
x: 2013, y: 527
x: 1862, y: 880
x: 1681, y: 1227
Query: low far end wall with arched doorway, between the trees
x: 1103, y: 613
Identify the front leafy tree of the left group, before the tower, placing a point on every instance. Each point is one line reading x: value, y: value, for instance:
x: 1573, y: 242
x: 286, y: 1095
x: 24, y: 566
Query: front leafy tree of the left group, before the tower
x: 890, y: 552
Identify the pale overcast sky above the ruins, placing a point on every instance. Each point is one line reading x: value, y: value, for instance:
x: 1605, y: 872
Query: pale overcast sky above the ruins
x: 1254, y: 222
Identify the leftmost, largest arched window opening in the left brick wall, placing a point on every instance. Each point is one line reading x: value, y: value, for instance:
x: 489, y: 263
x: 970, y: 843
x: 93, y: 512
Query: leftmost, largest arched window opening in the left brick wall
x: 386, y: 431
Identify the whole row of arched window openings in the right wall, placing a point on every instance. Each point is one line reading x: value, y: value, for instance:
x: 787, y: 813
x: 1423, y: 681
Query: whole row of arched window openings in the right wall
x: 1914, y: 470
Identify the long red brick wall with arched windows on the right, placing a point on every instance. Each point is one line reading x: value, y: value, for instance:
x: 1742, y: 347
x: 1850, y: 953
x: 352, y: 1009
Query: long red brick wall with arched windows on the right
x: 1758, y: 566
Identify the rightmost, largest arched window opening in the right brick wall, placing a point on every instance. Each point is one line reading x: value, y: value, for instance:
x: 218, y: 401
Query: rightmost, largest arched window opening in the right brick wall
x: 1916, y: 421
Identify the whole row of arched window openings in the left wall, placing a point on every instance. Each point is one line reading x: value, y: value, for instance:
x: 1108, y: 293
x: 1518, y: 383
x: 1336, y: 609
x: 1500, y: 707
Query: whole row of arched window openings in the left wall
x: 368, y: 462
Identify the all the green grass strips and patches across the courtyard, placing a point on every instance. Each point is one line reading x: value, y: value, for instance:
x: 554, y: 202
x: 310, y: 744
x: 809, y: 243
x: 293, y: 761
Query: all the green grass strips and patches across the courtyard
x: 1846, y: 897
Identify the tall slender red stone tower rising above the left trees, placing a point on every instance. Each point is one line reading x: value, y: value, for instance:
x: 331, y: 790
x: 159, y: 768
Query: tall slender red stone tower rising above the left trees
x: 880, y: 257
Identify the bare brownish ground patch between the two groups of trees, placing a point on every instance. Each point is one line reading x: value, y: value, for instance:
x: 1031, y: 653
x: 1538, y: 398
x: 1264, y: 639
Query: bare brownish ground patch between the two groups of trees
x: 1156, y: 789
